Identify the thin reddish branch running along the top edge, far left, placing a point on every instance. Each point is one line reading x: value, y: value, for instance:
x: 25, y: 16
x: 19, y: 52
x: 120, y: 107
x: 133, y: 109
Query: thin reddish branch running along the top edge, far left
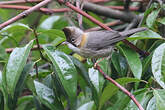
x: 19, y: 1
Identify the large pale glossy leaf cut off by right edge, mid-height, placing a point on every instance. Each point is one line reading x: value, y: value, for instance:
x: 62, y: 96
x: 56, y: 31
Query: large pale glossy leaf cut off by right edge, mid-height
x: 158, y: 64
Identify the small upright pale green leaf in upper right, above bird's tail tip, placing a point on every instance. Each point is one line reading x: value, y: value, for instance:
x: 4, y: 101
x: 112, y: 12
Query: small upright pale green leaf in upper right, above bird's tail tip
x: 152, y: 18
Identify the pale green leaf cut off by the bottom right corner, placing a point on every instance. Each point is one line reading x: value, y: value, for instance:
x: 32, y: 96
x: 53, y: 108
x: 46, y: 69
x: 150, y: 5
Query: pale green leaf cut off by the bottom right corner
x: 160, y: 99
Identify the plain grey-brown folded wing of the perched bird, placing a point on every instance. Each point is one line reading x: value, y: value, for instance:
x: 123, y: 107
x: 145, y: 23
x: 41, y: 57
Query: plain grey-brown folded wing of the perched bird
x: 102, y: 39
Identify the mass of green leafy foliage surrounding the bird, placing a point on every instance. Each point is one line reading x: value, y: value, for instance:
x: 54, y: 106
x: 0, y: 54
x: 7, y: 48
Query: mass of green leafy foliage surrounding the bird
x: 66, y: 81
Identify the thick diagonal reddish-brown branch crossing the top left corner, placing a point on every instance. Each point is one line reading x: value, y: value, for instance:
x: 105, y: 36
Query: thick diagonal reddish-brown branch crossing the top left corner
x: 24, y: 14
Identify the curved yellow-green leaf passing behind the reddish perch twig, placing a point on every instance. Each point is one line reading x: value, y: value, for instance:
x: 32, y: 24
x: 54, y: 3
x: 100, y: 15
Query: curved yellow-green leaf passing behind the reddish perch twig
x: 111, y: 89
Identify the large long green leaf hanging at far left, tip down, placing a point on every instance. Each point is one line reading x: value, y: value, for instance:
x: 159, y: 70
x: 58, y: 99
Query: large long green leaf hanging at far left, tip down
x: 15, y: 65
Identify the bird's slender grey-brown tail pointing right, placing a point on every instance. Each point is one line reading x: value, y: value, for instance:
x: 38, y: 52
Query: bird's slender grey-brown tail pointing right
x: 132, y: 31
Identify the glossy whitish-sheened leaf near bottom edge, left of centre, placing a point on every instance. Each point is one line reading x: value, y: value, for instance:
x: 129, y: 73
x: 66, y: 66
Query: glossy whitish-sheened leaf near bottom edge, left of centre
x: 45, y: 94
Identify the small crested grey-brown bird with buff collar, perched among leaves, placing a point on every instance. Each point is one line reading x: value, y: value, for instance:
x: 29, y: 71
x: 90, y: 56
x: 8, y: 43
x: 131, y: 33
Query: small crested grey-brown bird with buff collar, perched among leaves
x: 95, y: 44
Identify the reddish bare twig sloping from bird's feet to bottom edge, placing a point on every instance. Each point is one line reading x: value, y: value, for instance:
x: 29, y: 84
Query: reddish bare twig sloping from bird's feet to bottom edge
x: 120, y: 87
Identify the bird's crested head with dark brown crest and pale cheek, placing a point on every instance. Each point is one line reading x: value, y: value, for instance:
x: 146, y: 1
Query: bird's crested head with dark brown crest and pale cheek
x: 73, y: 35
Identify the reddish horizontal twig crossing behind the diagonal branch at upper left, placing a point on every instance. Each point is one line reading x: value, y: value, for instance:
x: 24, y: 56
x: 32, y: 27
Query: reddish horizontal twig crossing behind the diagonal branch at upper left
x: 44, y: 10
